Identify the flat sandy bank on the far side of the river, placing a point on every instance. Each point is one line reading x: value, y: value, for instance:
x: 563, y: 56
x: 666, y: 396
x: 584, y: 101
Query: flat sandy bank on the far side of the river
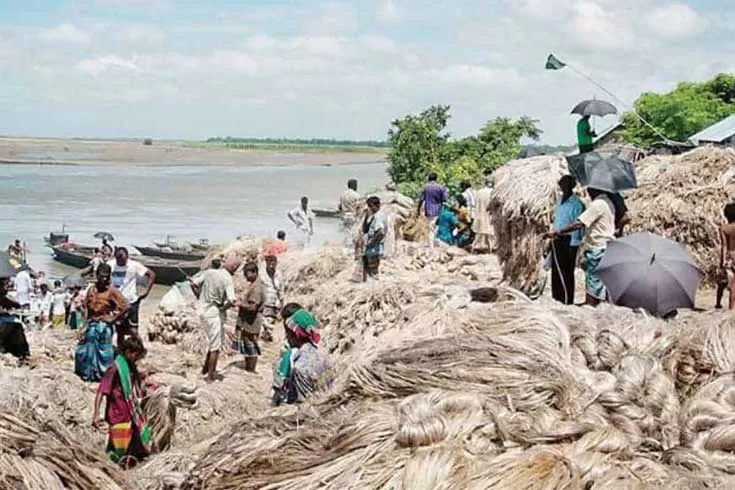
x: 52, y: 151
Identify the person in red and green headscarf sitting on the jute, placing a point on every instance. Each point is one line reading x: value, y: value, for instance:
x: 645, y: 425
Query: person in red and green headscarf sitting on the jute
x: 303, y: 368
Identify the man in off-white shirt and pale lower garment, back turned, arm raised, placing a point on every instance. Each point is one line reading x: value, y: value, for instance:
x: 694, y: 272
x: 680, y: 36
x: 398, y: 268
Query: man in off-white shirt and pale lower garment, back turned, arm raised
x: 216, y: 293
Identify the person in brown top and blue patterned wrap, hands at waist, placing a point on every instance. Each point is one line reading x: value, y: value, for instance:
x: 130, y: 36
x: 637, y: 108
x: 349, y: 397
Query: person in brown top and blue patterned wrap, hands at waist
x: 105, y: 306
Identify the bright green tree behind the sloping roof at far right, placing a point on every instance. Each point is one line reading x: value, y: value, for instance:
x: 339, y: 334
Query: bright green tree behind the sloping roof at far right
x: 679, y: 114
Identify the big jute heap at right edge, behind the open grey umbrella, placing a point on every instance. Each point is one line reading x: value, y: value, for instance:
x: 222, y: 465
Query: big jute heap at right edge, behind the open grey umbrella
x: 682, y: 198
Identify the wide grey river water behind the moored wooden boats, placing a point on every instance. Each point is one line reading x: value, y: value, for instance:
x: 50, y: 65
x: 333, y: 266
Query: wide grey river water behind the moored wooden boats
x: 141, y: 204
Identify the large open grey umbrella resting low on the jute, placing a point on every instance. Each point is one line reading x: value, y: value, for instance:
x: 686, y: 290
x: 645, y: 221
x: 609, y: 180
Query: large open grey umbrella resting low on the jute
x: 650, y: 272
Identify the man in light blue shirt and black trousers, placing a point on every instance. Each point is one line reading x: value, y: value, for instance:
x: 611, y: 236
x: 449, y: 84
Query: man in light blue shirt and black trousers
x: 564, y: 248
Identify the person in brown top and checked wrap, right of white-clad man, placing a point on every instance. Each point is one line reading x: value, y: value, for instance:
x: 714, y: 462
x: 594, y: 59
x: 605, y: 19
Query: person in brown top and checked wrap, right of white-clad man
x: 249, y: 318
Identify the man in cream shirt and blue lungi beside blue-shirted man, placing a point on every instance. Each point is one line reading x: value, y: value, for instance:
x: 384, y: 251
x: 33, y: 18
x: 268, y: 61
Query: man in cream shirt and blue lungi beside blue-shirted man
x: 598, y: 220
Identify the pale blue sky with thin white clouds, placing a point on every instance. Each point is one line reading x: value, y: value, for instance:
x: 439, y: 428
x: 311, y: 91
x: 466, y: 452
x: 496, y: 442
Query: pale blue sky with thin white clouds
x: 191, y: 69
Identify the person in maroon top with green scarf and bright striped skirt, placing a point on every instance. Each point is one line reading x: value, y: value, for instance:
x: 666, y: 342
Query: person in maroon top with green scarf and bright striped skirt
x: 129, y: 435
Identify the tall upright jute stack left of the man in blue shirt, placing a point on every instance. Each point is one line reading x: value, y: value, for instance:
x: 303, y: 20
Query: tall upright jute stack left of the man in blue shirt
x: 522, y: 211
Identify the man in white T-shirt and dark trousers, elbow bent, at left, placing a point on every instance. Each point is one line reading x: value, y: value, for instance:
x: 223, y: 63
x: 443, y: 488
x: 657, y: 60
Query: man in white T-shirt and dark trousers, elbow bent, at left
x: 126, y: 274
